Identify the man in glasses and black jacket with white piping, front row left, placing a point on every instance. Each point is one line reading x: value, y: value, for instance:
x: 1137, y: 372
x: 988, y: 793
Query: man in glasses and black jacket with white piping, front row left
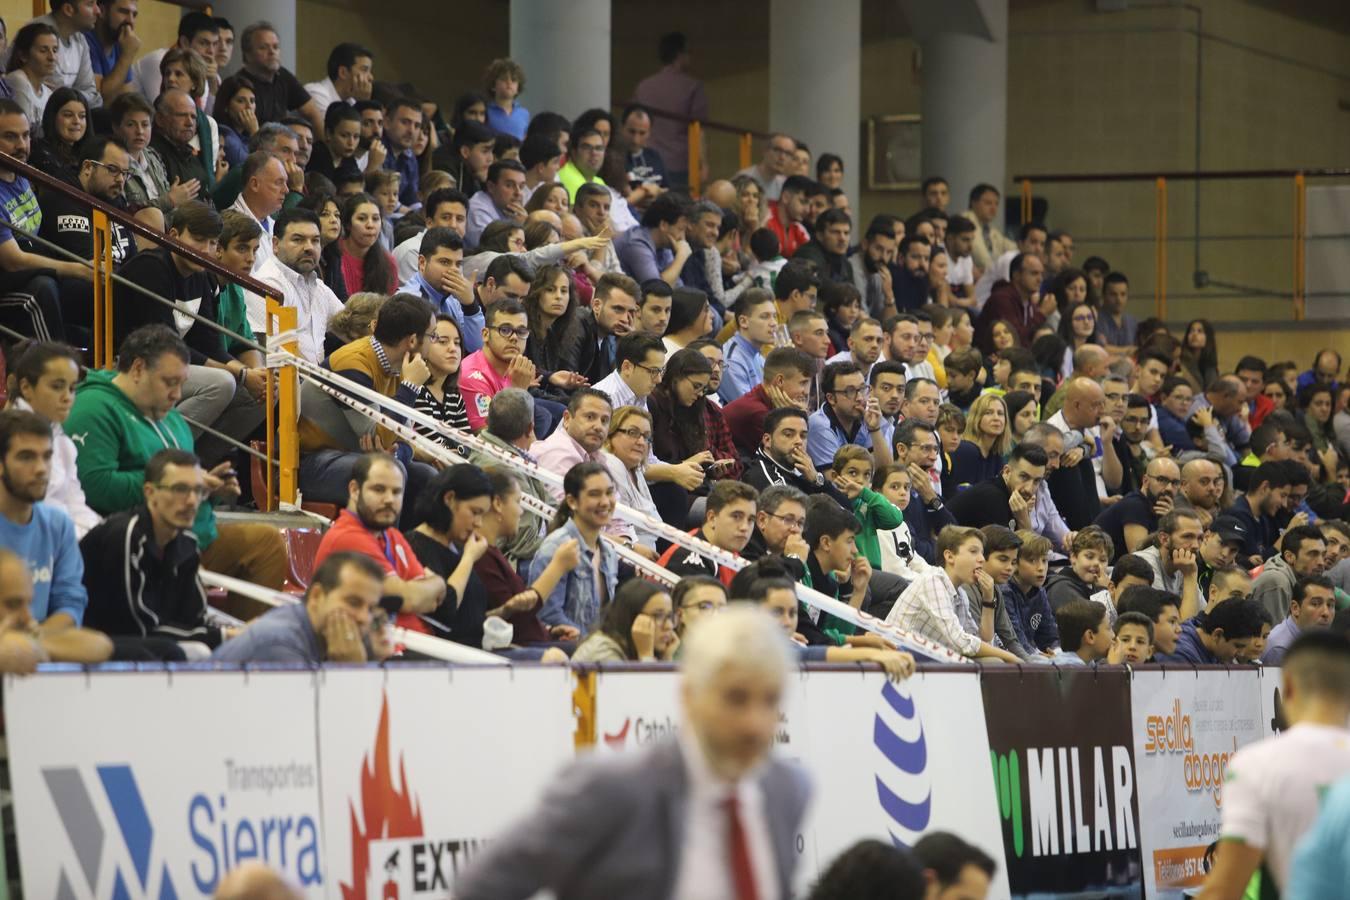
x: 141, y: 566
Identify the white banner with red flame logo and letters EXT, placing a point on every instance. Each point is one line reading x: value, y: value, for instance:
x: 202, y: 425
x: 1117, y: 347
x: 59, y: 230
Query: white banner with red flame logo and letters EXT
x: 422, y: 766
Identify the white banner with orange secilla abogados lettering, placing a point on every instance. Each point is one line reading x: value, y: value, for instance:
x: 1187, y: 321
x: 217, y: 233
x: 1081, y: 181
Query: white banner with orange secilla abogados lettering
x: 1186, y: 728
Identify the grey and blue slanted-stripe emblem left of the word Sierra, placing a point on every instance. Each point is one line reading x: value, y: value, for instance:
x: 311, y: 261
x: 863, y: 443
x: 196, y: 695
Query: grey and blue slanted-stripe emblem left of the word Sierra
x: 76, y: 806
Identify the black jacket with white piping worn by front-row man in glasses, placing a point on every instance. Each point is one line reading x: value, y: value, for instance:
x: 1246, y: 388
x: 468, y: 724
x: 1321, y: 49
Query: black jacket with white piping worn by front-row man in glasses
x: 136, y: 590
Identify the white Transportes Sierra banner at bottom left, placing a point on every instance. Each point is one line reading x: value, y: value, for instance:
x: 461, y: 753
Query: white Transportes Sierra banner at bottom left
x: 155, y: 785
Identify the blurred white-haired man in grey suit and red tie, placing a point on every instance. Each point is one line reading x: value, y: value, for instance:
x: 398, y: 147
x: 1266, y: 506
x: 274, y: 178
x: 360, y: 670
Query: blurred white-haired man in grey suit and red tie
x: 709, y: 816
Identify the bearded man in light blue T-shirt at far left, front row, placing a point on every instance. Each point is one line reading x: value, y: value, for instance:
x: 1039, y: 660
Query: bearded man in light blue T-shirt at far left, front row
x: 44, y: 539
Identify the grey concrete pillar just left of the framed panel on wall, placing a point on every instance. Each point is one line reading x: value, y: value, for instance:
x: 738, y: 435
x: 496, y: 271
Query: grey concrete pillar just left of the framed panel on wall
x: 816, y: 79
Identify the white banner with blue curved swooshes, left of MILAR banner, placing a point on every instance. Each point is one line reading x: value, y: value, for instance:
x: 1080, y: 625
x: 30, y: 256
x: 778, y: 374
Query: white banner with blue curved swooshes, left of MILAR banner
x: 894, y: 762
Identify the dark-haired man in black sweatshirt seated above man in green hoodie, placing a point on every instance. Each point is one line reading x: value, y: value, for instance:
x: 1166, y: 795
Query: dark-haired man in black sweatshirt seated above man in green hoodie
x: 217, y: 392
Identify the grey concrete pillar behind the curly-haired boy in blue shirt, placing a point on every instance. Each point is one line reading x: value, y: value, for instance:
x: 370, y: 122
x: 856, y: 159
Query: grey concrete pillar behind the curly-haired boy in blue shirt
x: 566, y: 51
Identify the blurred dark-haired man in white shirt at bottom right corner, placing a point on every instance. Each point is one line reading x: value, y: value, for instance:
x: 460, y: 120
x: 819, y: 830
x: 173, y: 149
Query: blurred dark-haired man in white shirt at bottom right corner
x: 1274, y: 789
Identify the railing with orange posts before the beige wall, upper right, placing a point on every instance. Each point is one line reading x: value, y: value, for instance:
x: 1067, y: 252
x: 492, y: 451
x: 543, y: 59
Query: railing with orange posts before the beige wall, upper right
x: 1299, y: 235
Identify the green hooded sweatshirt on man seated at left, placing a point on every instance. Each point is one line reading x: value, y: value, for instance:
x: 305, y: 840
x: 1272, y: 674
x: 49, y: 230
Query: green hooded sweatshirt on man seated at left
x: 115, y: 443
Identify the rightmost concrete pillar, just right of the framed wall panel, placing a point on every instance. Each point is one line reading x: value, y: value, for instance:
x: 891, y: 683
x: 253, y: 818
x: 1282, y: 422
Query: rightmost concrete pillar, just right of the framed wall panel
x: 965, y: 101
